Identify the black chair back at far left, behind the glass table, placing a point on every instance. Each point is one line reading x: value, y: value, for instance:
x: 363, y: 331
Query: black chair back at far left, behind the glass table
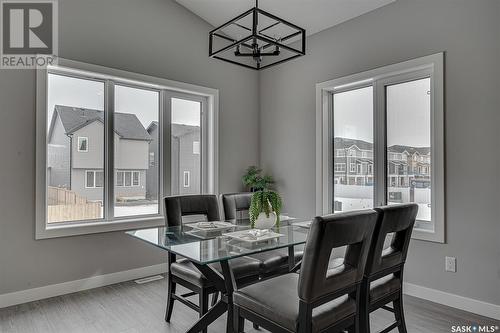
x: 178, y: 206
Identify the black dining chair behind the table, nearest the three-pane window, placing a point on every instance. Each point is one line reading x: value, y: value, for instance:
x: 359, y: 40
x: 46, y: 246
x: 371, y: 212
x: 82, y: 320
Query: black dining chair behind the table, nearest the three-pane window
x: 182, y: 271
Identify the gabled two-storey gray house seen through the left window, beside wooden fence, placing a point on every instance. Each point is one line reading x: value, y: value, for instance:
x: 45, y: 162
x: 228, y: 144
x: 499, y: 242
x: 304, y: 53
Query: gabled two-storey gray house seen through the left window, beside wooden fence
x: 75, y: 158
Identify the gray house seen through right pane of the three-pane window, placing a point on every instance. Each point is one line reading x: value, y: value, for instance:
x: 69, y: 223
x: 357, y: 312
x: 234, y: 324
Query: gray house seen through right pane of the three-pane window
x: 186, y: 160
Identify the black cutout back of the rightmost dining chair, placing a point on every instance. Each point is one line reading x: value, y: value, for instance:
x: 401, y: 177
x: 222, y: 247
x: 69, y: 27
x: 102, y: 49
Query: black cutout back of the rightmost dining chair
x: 398, y: 219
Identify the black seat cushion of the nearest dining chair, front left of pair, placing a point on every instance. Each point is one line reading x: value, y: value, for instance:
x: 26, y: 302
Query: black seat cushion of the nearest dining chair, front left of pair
x: 277, y: 300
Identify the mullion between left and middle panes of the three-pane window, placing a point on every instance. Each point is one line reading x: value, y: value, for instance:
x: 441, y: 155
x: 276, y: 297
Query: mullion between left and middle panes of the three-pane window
x: 109, y: 110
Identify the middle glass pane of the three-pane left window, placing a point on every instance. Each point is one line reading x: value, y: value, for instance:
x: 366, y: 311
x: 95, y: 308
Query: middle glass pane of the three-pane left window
x: 137, y: 113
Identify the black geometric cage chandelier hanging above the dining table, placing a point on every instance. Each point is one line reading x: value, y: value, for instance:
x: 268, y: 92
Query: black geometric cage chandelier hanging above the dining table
x: 257, y: 39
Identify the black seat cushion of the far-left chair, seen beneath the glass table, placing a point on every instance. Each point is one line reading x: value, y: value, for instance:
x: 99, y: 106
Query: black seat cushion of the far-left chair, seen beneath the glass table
x: 242, y: 267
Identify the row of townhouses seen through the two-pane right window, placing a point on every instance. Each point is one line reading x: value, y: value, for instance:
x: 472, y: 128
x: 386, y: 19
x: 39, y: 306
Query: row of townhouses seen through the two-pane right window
x: 407, y: 166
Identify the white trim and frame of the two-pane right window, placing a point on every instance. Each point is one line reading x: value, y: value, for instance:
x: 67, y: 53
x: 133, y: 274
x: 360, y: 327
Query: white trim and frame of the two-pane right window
x: 434, y: 64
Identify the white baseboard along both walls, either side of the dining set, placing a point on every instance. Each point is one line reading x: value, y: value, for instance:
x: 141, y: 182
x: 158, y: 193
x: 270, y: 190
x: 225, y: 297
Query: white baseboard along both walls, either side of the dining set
x: 29, y: 295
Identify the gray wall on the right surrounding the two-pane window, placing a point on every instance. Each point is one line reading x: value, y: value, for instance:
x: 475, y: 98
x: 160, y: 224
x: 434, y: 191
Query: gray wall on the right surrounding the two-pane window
x: 469, y: 33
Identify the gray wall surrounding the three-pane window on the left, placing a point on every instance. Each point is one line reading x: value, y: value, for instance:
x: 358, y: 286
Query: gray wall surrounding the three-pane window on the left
x: 154, y: 37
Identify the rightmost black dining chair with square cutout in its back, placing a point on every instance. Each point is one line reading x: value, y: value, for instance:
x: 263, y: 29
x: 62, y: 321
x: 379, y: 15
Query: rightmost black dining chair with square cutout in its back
x: 383, y: 278
